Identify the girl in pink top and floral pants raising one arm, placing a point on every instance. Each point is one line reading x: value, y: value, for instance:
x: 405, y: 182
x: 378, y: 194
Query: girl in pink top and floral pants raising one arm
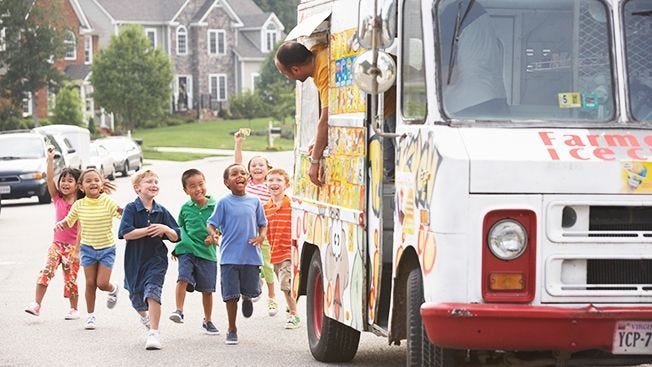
x: 64, y: 249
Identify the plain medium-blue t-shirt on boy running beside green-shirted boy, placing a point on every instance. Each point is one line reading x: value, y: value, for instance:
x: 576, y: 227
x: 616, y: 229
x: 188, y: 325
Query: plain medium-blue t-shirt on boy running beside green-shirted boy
x: 238, y: 219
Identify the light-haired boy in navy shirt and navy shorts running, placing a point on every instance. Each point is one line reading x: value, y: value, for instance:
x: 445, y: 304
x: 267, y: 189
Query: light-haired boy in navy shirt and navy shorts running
x: 145, y: 224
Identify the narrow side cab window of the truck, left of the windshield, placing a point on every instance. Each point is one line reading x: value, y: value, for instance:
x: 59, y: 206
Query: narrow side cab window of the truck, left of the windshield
x: 413, y: 81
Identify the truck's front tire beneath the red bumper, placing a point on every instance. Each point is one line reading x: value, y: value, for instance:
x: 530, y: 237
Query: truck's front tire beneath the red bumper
x: 420, y: 352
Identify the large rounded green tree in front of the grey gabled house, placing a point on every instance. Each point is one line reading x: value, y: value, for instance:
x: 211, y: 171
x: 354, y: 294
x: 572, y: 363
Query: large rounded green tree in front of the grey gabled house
x: 132, y: 79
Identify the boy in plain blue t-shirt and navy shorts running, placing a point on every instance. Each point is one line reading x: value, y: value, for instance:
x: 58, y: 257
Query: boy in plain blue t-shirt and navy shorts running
x: 240, y: 220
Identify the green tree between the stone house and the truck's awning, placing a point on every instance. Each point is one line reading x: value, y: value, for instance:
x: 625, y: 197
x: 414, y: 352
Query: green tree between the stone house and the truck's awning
x: 275, y: 90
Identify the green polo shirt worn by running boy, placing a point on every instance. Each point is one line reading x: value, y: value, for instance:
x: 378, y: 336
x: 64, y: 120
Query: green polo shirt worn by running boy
x: 192, y: 221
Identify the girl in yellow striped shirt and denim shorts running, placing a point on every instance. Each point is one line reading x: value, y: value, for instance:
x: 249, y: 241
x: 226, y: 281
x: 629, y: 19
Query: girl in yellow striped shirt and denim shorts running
x: 95, y: 213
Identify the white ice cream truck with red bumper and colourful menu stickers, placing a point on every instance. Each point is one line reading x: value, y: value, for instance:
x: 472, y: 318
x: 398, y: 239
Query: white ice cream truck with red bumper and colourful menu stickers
x: 516, y: 224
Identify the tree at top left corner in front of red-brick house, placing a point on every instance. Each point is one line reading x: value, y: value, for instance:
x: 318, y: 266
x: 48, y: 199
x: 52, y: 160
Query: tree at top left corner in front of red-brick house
x: 32, y: 38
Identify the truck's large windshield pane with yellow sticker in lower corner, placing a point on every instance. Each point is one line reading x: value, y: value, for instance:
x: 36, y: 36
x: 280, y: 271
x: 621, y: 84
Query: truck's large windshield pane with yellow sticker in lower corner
x: 536, y: 60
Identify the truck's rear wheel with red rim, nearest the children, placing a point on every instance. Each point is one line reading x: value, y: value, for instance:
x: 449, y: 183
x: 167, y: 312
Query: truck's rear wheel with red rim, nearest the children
x: 329, y: 340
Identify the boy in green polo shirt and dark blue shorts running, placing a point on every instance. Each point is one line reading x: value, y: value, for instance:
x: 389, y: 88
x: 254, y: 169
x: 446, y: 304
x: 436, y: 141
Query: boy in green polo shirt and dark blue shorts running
x: 196, y: 251
